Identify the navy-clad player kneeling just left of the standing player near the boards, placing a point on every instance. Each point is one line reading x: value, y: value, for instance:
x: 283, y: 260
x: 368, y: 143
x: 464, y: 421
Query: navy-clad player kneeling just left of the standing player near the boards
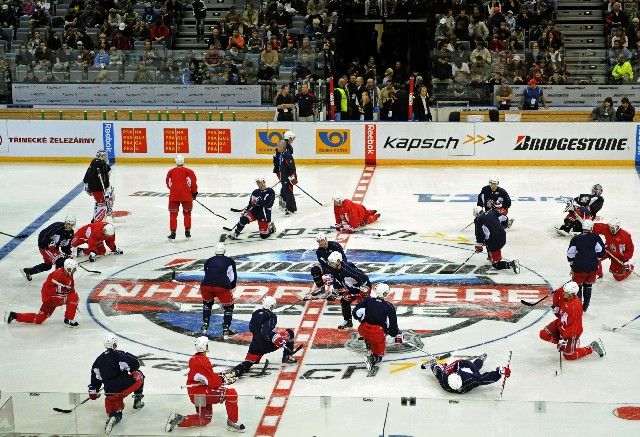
x: 259, y: 208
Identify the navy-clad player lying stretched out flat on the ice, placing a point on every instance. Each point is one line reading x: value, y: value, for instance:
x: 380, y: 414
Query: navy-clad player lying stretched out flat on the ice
x: 462, y: 376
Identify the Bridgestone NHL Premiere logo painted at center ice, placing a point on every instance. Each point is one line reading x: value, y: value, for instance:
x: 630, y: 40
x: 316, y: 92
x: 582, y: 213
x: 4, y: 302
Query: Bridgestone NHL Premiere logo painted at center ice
x: 429, y: 299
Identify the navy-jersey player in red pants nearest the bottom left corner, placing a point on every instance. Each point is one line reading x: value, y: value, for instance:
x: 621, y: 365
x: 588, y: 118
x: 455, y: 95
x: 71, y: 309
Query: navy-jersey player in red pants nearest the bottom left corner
x: 119, y: 372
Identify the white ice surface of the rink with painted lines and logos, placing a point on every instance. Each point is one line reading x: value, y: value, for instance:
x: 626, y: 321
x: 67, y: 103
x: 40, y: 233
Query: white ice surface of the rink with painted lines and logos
x: 415, y: 246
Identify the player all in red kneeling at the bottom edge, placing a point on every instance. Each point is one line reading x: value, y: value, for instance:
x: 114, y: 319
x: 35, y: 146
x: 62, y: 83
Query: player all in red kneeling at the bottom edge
x: 206, y: 388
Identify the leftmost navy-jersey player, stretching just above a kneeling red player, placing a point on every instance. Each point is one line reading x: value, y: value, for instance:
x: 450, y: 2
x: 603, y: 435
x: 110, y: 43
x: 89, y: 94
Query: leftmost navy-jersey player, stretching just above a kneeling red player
x: 54, y: 243
